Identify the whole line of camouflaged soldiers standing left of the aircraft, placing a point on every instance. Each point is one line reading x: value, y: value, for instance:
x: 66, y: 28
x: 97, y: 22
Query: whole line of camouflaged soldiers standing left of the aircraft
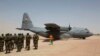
x: 17, y: 41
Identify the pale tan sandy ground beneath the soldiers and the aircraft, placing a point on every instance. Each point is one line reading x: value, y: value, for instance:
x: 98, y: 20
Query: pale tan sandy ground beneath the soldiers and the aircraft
x: 71, y: 47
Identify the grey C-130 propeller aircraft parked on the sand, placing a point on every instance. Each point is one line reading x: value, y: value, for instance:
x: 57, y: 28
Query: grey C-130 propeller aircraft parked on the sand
x: 57, y: 31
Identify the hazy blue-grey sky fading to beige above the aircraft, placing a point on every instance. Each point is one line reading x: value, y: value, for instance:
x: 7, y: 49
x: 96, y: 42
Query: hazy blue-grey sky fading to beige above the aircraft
x: 77, y: 13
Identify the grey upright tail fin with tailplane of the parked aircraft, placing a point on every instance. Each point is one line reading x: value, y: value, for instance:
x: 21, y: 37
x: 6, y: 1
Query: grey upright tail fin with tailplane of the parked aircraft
x: 26, y: 23
